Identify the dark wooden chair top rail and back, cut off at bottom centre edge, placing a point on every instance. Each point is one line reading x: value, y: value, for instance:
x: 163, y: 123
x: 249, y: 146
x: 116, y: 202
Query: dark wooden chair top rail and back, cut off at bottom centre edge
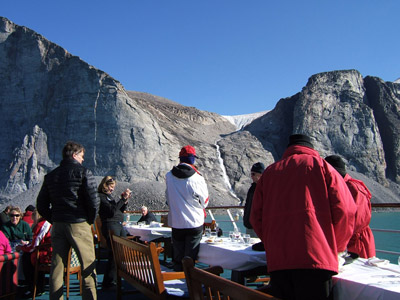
x: 204, y: 285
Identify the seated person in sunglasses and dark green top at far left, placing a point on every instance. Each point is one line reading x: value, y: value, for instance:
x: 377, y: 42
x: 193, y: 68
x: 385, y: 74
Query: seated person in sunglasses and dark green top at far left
x: 16, y: 230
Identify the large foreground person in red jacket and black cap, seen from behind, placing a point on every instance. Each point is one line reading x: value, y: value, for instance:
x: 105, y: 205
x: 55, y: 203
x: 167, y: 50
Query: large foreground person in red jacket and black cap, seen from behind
x: 304, y: 213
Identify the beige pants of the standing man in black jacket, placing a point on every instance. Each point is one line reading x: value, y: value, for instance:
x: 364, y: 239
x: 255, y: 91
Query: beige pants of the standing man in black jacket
x: 80, y: 237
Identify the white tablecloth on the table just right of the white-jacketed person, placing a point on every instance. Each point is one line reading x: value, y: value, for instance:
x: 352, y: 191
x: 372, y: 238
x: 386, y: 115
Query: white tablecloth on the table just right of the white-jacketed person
x: 232, y: 256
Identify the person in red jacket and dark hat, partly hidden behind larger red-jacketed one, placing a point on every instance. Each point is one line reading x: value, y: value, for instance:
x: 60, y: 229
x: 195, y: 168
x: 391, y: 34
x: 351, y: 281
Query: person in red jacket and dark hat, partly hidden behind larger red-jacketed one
x: 362, y: 242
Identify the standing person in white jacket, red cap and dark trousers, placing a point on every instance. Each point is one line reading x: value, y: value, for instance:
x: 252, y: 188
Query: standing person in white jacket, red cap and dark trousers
x: 187, y: 197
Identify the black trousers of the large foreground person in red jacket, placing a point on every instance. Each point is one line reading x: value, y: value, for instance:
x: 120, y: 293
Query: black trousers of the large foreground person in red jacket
x: 301, y: 284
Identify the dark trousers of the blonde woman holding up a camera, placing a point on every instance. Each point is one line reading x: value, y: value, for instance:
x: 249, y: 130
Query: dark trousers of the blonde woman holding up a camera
x: 110, y: 274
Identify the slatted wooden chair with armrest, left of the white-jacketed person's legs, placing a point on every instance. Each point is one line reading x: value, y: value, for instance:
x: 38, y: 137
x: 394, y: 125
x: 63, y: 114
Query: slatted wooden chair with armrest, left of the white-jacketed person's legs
x: 138, y: 264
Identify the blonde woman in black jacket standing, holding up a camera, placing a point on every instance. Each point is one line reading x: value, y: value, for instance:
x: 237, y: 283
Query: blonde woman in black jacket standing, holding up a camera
x: 112, y: 216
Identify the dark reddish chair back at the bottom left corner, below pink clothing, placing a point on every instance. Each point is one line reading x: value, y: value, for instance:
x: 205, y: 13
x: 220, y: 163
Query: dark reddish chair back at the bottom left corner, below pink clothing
x: 9, y: 275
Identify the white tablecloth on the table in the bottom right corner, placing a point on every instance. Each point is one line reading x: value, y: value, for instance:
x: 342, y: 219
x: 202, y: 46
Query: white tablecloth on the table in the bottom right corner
x: 359, y: 281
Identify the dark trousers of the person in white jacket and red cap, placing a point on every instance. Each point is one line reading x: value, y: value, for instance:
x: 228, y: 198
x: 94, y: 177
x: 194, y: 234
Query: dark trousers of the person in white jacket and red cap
x: 185, y: 242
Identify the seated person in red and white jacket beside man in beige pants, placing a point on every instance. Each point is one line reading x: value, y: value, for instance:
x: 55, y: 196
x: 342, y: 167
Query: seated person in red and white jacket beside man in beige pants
x: 41, y: 235
